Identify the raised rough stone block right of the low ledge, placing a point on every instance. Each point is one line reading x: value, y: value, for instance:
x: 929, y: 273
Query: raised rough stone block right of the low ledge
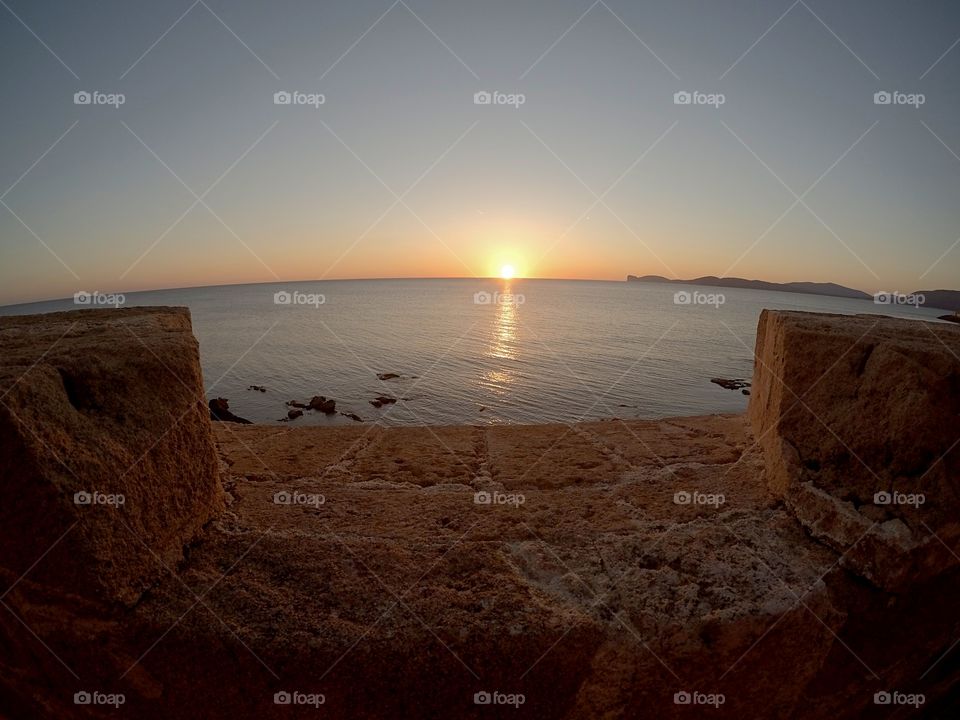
x: 849, y: 407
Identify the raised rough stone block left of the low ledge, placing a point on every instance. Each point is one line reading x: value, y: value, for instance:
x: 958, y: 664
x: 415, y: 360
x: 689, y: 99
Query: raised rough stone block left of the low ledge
x: 108, y: 404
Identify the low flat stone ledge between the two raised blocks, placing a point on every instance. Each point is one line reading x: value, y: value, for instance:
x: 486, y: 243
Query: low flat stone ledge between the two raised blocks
x: 610, y: 566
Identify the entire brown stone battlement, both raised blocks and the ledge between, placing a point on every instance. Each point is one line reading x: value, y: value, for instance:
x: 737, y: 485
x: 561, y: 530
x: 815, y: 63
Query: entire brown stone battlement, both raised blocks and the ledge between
x: 600, y: 570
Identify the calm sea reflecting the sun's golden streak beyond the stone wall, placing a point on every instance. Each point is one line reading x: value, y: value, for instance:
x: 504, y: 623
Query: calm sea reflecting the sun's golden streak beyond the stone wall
x: 523, y: 351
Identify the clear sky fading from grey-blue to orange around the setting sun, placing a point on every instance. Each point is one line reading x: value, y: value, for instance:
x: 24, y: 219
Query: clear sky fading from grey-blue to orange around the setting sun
x: 587, y: 163
